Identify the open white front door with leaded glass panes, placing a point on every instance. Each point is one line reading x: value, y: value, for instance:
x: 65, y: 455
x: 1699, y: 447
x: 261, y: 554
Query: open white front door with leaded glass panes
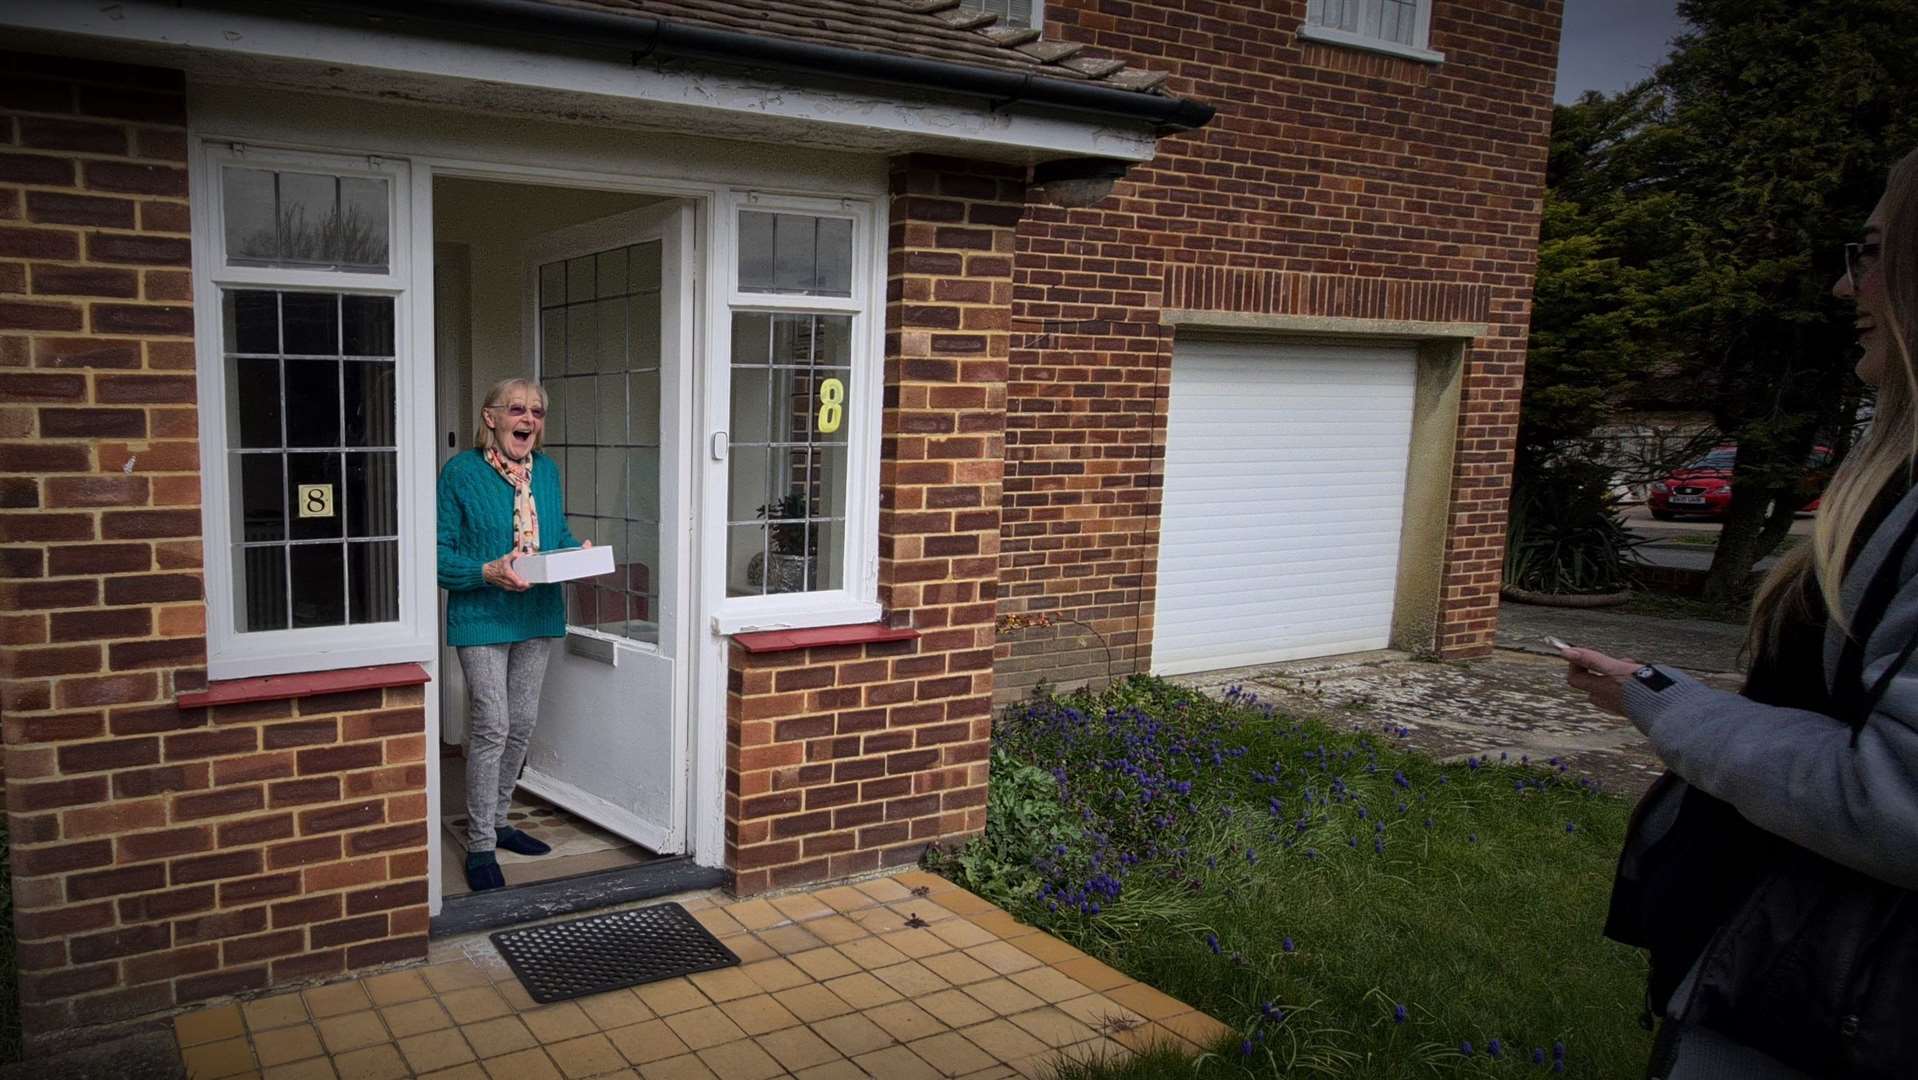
x: 611, y: 325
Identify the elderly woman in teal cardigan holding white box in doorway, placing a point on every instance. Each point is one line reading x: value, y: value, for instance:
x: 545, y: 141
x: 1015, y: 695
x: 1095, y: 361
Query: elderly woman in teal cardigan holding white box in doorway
x: 502, y: 502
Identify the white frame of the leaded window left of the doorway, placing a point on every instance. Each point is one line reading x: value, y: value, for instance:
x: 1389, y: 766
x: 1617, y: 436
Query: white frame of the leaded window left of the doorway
x: 233, y: 653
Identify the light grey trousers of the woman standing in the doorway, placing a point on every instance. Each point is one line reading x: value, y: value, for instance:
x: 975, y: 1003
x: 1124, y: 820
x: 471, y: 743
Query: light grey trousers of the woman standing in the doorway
x: 503, y: 688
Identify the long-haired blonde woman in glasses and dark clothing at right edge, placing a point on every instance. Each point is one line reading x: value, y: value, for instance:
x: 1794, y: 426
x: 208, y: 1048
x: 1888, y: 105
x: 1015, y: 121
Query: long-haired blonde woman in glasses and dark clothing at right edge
x: 1773, y: 870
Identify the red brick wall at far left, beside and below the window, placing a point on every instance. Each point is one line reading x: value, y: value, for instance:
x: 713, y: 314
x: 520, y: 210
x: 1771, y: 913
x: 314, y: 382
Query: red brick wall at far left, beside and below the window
x: 160, y: 855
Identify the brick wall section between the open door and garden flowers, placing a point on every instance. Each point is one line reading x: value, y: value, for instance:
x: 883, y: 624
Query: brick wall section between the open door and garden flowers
x: 853, y: 759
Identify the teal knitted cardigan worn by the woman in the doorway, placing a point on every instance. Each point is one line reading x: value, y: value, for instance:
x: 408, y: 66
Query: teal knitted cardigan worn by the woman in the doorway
x: 477, y: 528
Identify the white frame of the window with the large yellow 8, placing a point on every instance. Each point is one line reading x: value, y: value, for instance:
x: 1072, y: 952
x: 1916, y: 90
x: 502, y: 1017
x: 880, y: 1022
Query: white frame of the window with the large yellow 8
x: 858, y: 599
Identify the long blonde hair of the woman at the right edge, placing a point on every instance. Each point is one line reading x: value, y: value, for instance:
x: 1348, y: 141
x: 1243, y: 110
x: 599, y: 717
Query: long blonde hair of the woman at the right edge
x: 1886, y: 452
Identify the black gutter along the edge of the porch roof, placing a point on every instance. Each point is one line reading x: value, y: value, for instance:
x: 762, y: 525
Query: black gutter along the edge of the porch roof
x: 645, y: 37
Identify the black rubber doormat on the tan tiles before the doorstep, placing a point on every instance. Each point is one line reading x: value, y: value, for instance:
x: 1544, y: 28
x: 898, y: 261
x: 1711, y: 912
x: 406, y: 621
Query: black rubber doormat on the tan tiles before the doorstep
x: 605, y: 952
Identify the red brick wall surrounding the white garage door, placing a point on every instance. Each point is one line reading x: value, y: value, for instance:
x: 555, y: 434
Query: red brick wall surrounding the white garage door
x: 1332, y: 183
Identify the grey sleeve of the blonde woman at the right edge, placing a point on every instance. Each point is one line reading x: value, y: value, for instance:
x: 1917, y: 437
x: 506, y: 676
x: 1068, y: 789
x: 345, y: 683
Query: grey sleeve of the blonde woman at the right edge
x: 1798, y: 774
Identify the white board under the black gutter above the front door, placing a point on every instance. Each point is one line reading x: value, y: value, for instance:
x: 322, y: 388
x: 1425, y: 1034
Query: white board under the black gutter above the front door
x: 262, y: 51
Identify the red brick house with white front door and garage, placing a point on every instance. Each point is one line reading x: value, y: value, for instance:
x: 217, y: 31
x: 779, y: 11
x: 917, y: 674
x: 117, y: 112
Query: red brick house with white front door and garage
x: 891, y: 348
